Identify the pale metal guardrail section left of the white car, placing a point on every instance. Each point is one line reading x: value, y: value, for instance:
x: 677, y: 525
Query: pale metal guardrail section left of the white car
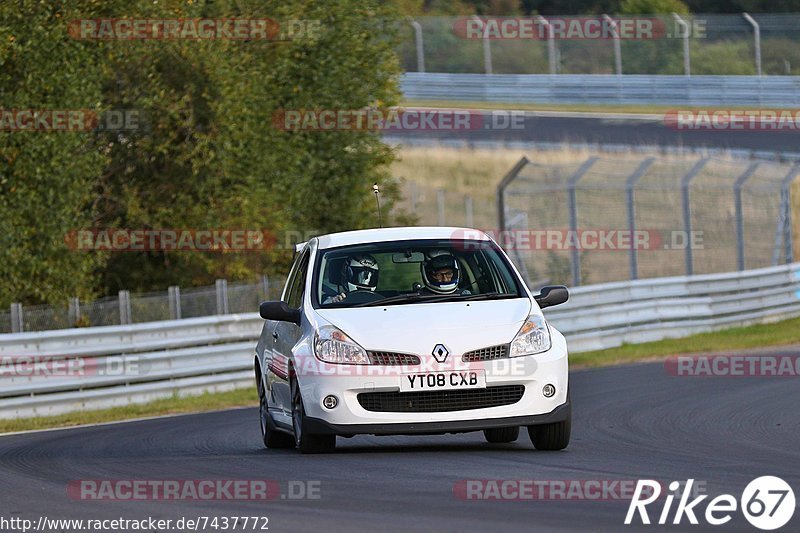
x: 53, y: 372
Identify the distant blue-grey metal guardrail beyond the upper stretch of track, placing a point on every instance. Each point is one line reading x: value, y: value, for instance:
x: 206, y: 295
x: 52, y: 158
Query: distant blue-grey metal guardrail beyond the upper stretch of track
x: 683, y: 91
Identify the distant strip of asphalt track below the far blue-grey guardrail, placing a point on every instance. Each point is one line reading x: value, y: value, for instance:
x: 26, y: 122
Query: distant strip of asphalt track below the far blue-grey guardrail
x: 588, y: 128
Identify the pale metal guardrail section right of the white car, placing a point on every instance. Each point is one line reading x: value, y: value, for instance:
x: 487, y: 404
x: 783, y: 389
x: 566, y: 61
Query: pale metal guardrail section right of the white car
x: 609, y: 314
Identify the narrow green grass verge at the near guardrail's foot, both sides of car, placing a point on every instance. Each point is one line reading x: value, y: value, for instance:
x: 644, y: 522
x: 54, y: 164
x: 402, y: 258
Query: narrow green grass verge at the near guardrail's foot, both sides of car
x: 782, y: 333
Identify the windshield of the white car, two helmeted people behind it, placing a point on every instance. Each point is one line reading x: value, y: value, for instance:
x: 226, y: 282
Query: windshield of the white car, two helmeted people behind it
x: 421, y: 271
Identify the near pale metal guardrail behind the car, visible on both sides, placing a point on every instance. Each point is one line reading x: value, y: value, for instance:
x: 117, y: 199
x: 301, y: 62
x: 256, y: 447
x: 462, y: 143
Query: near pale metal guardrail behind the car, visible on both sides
x: 52, y: 372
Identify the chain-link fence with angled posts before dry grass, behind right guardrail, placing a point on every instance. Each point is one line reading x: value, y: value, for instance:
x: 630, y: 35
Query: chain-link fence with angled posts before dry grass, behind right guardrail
x: 608, y: 219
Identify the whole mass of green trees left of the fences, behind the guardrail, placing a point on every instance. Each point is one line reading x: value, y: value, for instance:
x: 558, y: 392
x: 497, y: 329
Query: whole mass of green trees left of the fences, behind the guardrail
x: 209, y: 157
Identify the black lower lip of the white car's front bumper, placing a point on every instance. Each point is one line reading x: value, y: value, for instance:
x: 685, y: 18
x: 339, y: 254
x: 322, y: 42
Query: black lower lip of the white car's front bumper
x: 318, y: 426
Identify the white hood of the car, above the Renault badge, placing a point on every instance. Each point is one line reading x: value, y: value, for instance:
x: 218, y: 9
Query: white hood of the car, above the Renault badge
x: 417, y: 328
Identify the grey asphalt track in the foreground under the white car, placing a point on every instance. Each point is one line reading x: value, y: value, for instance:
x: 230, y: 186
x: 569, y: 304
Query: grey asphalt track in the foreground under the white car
x: 629, y: 423
